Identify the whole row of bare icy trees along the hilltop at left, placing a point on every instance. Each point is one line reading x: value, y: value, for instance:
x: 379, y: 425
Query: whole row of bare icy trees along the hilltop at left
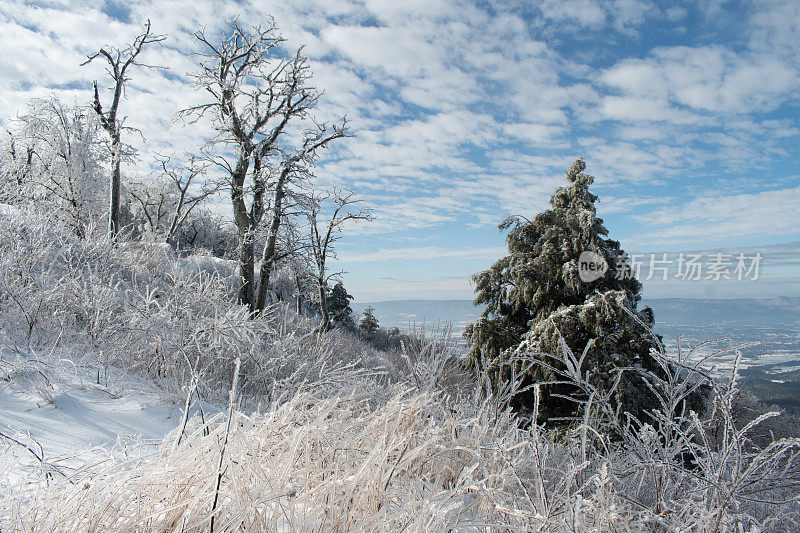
x: 257, y: 96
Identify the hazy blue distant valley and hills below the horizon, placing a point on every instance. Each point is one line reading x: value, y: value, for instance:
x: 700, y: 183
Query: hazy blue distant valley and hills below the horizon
x: 767, y: 330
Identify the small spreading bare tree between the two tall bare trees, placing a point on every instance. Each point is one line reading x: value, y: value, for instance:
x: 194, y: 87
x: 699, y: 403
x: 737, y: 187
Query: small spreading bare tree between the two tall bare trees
x: 166, y: 204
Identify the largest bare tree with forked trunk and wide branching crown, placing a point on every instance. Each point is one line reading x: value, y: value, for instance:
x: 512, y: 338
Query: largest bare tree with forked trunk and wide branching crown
x: 255, y: 95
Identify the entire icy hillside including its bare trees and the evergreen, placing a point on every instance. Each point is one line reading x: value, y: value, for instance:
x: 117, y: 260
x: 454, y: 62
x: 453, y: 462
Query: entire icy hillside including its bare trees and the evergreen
x: 161, y: 370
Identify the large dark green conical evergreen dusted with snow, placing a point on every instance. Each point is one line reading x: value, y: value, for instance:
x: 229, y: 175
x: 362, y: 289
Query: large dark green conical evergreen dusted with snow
x: 534, y: 297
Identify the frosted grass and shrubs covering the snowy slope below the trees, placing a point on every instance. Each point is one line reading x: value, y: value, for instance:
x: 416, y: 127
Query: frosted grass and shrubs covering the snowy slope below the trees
x: 325, y: 432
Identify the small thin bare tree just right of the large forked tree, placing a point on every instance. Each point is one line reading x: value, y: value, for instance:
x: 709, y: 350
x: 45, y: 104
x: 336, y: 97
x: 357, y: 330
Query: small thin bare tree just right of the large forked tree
x: 324, y: 233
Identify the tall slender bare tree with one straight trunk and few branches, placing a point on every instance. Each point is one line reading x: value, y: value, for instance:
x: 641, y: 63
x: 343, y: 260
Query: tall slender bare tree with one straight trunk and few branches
x: 119, y: 60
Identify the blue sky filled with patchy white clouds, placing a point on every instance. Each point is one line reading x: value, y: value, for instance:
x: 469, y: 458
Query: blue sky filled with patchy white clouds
x: 687, y: 113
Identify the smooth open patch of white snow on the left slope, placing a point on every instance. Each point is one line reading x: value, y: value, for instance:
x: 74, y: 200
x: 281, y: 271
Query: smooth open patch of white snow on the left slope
x: 63, y: 415
